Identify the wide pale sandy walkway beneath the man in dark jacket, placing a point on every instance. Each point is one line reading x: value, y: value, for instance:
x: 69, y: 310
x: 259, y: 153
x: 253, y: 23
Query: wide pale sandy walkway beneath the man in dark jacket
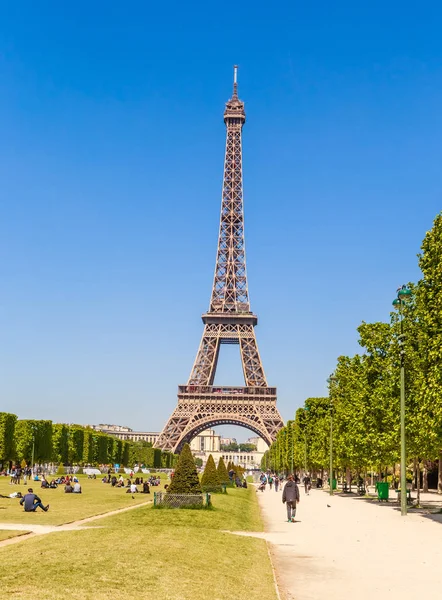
x: 347, y: 547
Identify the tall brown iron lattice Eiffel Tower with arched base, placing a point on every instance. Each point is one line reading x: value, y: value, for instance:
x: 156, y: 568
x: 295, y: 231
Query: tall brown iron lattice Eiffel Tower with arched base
x: 201, y: 404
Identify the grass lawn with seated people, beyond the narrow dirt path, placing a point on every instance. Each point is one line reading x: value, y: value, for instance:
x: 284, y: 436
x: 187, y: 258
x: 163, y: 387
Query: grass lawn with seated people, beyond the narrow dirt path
x: 96, y: 498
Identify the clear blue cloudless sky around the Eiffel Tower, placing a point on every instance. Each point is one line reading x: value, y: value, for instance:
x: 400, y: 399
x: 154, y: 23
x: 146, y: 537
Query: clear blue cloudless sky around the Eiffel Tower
x: 111, y: 153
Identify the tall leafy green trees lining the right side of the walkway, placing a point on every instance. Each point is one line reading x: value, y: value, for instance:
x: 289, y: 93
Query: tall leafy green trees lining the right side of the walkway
x: 364, y: 395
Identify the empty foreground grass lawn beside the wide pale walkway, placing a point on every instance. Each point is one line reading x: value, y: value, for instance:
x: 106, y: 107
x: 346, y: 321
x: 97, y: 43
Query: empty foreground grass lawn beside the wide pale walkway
x: 166, y: 554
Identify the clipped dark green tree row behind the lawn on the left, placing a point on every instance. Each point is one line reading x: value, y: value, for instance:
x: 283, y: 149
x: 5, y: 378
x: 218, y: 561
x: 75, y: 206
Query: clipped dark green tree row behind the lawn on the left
x: 42, y: 441
